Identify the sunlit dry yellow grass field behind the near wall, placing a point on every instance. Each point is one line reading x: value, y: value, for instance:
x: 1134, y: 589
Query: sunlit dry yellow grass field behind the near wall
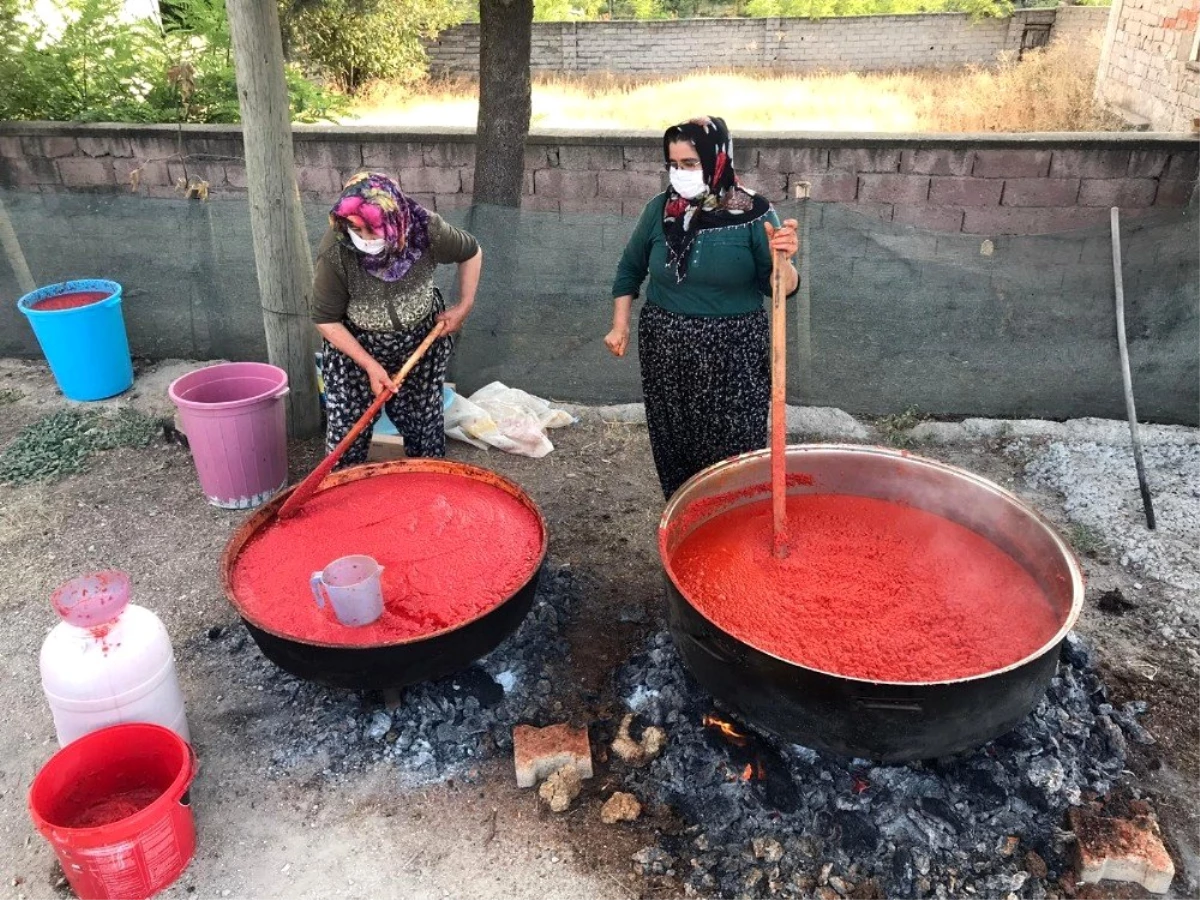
x: 1051, y: 91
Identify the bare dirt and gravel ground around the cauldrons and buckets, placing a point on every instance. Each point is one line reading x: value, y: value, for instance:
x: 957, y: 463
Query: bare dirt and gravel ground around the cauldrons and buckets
x: 293, y: 831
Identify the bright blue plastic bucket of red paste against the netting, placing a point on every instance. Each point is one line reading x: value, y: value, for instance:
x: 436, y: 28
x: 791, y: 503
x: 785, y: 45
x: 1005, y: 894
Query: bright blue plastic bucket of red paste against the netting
x: 86, y: 346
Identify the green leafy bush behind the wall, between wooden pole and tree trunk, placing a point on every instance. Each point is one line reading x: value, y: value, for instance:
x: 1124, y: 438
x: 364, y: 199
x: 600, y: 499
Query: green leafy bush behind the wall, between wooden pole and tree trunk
x: 355, y: 41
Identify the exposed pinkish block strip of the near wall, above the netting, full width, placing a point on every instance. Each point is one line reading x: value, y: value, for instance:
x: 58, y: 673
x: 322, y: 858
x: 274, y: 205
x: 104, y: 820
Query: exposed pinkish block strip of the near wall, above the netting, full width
x: 982, y: 184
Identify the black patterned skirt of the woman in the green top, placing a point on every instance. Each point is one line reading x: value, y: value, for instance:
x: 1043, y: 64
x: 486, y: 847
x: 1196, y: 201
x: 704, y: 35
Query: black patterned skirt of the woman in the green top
x: 707, y: 387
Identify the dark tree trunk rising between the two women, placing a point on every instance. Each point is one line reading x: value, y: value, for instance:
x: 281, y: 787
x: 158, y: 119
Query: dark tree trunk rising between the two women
x: 506, y: 31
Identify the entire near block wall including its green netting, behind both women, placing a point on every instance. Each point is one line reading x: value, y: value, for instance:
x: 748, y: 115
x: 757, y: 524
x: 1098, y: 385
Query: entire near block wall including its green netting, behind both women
x: 910, y: 307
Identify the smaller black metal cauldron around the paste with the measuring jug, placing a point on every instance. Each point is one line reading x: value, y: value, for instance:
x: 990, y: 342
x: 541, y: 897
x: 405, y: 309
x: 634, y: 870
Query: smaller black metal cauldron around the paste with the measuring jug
x: 403, y: 663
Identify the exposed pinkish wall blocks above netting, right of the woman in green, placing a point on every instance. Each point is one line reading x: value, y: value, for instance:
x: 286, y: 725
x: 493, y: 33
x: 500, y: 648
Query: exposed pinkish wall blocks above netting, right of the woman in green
x: 987, y: 187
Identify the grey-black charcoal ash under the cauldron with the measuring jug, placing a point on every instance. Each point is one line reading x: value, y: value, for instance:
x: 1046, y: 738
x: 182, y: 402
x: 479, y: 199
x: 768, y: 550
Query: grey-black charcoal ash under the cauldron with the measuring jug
x: 437, y: 730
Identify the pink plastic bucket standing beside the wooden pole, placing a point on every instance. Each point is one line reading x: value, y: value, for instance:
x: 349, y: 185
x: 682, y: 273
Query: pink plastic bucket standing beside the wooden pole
x: 236, y: 422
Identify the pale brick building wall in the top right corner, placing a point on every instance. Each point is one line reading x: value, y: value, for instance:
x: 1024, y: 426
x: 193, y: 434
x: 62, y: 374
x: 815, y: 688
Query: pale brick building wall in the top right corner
x: 1147, y: 67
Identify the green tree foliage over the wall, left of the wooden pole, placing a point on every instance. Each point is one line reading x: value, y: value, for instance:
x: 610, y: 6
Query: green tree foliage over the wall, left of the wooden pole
x: 101, y: 68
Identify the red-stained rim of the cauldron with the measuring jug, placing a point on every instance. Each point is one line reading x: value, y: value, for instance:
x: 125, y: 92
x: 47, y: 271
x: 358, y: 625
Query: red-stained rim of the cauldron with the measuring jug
x: 265, y: 514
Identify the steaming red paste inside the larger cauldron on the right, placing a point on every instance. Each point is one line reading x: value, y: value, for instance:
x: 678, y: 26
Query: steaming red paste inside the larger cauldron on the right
x: 871, y: 590
